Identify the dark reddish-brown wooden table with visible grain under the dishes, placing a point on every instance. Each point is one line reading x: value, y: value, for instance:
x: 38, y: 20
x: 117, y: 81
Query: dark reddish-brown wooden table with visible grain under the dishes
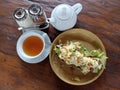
x: 101, y: 17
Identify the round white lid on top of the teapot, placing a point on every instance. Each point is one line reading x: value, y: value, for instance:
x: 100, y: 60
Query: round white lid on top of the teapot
x: 63, y: 12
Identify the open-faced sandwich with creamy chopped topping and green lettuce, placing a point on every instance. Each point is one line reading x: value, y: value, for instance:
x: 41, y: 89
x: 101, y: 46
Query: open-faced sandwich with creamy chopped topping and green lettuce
x: 75, y: 54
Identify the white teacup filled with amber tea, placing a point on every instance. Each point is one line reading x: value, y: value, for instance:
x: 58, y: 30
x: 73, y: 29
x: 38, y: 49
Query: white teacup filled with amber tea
x: 27, y: 45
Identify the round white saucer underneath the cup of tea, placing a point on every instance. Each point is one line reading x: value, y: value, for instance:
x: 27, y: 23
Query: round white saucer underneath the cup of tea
x: 44, y: 53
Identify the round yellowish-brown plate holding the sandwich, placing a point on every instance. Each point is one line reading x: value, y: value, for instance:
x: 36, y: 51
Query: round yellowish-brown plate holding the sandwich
x: 67, y: 73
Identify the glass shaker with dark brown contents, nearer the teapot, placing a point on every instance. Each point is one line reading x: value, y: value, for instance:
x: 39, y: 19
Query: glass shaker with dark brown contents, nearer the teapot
x: 38, y: 16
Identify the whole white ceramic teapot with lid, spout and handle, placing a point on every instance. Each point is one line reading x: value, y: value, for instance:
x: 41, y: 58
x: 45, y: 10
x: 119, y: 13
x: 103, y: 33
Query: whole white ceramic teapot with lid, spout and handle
x: 64, y: 16
